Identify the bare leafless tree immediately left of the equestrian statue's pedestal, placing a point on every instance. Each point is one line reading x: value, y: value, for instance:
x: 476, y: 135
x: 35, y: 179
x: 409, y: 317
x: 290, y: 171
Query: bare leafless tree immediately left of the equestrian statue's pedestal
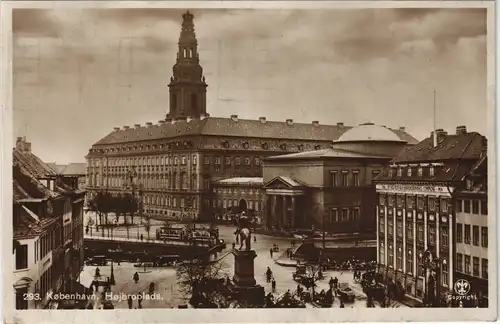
x: 203, y: 280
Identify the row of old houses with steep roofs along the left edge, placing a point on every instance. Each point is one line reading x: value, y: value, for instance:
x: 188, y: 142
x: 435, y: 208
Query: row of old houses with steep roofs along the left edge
x: 48, y: 230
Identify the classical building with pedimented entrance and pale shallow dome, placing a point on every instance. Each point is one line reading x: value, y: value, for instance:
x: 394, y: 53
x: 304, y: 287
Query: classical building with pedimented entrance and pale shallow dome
x: 330, y: 189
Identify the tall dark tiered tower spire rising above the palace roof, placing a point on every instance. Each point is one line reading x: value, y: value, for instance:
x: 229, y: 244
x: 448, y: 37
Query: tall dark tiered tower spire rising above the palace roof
x: 187, y: 84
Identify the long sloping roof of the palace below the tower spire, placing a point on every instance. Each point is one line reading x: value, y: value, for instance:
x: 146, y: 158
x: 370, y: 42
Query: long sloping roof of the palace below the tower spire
x: 218, y: 126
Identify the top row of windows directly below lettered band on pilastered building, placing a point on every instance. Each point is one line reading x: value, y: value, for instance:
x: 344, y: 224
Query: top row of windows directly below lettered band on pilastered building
x: 408, y: 201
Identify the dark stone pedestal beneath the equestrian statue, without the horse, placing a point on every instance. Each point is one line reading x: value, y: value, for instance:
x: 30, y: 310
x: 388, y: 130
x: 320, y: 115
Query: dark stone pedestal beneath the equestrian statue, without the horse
x: 243, y: 286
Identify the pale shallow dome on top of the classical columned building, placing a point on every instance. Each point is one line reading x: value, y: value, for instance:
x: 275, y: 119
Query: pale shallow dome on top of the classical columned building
x: 369, y: 132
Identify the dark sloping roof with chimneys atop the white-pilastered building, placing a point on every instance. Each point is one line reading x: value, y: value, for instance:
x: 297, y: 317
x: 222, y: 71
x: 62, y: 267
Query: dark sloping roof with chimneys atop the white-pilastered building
x: 466, y: 146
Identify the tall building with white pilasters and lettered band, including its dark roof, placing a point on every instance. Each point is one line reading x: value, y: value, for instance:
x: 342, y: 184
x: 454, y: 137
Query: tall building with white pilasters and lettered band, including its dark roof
x: 417, y: 214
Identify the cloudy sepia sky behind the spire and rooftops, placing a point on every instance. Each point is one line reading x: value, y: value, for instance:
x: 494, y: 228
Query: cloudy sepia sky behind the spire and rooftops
x: 79, y: 73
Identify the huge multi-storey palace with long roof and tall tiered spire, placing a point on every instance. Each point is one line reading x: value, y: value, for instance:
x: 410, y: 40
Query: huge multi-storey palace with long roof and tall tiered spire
x: 172, y: 164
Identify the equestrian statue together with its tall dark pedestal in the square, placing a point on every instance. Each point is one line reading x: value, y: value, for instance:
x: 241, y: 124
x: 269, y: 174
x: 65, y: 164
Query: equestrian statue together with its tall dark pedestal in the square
x: 243, y: 286
